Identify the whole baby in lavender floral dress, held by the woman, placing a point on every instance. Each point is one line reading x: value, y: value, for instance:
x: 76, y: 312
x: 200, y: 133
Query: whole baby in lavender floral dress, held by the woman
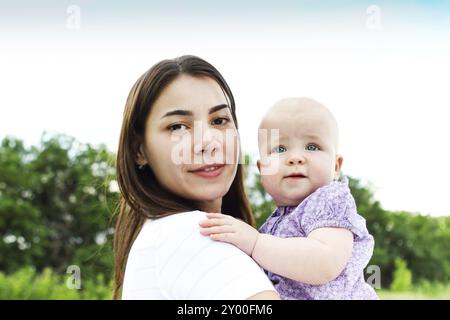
x: 315, y: 245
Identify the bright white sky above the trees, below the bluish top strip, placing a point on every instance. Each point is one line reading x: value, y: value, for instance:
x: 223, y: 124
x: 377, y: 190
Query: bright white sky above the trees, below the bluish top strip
x: 388, y: 88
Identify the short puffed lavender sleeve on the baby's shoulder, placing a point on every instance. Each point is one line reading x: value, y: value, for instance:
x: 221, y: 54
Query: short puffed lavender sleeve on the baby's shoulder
x: 332, y: 206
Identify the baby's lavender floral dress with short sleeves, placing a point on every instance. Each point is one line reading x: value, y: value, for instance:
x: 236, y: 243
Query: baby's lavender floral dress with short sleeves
x: 329, y: 206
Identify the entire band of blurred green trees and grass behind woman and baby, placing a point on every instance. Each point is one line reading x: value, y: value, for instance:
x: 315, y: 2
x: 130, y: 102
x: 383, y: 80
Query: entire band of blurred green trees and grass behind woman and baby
x: 56, y: 201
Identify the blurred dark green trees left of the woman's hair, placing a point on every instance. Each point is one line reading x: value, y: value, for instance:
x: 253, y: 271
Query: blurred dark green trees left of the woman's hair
x: 55, y: 205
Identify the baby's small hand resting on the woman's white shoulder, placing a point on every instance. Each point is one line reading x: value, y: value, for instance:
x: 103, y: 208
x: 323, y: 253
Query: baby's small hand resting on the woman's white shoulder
x: 225, y: 228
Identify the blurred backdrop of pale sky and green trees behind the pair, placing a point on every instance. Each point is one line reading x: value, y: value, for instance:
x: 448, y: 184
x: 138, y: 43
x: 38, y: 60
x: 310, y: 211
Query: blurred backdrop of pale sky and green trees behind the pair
x: 382, y: 67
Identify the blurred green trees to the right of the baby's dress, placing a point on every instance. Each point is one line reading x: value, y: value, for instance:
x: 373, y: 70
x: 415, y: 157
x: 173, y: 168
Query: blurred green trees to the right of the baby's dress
x: 422, y: 241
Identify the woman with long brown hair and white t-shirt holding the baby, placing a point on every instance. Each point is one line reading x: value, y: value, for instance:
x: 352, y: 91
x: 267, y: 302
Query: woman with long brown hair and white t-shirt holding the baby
x: 181, y: 106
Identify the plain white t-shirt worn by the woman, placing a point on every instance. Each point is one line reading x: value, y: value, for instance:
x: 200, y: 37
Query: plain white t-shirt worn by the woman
x: 170, y: 259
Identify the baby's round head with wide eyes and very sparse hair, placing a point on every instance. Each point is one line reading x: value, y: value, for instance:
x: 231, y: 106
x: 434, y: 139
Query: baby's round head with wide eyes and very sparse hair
x: 304, y: 157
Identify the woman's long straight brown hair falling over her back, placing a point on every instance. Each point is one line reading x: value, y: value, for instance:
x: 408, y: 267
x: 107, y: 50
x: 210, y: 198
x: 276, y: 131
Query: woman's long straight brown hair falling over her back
x: 142, y: 197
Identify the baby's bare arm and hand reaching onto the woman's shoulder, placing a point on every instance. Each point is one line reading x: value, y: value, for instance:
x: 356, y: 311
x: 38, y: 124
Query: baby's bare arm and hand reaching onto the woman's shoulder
x: 316, y: 259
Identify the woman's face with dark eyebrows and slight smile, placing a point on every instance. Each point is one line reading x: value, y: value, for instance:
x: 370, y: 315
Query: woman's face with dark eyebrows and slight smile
x: 191, y: 141
